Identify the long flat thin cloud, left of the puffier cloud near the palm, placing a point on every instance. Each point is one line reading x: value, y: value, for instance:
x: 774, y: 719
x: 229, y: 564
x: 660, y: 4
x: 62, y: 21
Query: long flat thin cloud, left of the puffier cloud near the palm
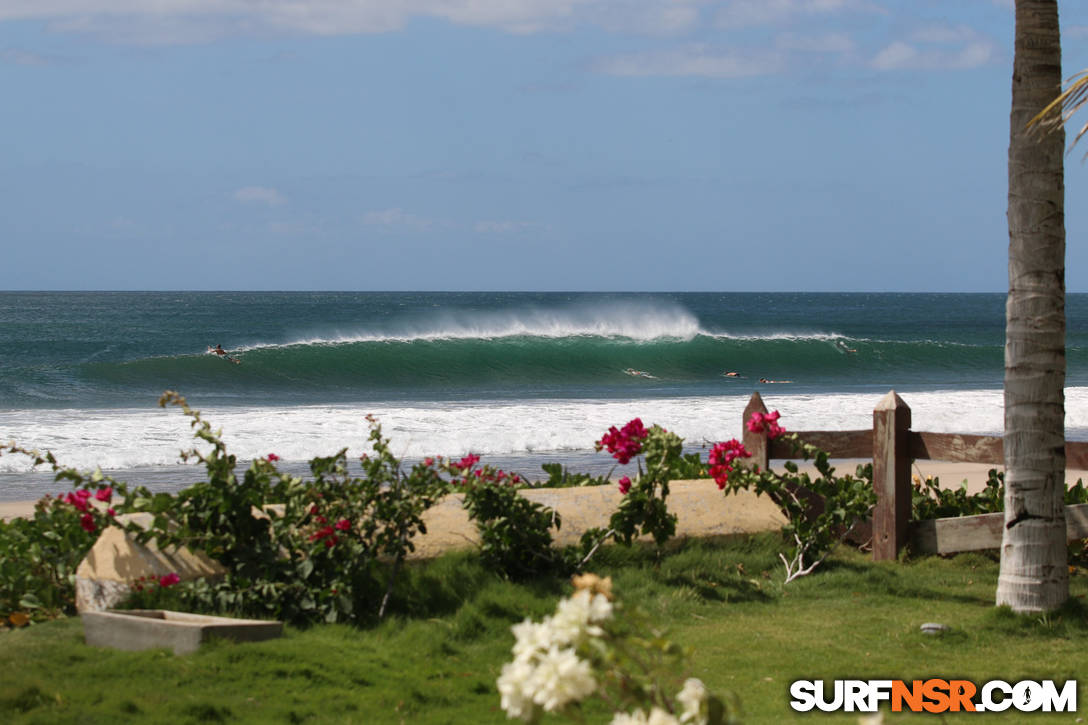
x: 697, y: 60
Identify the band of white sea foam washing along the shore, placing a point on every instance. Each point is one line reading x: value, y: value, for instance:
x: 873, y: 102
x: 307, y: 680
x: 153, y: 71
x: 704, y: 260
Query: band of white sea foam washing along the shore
x: 120, y: 439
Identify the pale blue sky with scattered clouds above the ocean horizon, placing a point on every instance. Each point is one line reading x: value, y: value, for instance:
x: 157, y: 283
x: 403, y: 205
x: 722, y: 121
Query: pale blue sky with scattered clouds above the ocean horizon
x: 733, y: 145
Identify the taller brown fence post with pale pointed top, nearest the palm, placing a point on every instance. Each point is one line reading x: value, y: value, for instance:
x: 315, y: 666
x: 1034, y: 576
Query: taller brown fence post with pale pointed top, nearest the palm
x: 892, y: 476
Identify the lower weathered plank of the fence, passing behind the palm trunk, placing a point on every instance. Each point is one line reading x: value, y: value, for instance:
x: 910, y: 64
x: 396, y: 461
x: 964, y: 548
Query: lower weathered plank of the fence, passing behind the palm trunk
x: 949, y: 536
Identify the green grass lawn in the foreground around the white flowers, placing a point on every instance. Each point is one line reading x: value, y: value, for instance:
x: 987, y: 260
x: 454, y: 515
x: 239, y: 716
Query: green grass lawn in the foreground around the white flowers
x: 438, y: 660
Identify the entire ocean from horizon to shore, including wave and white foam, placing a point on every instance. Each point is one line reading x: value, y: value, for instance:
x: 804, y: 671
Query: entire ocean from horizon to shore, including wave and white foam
x: 503, y: 374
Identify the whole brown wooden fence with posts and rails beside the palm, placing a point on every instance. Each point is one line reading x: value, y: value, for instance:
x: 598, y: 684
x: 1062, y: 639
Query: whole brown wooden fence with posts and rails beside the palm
x: 894, y: 448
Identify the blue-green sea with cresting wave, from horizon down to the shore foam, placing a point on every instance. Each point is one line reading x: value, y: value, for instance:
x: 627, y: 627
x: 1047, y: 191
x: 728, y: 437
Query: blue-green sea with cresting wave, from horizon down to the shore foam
x: 84, y: 350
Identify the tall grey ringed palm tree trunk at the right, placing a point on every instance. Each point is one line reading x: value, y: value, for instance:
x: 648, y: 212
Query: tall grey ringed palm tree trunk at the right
x: 1034, y: 575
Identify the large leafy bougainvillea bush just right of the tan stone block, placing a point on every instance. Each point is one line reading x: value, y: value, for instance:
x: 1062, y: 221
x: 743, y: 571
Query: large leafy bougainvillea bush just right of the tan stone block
x: 303, y: 551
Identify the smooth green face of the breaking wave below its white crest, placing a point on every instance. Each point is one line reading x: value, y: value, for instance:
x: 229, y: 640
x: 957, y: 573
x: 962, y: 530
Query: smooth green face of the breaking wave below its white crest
x: 517, y: 366
